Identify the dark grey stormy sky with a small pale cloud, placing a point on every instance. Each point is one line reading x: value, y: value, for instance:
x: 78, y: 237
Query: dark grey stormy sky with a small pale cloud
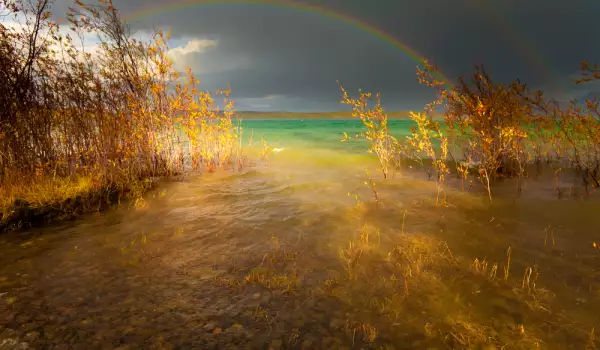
x: 281, y: 58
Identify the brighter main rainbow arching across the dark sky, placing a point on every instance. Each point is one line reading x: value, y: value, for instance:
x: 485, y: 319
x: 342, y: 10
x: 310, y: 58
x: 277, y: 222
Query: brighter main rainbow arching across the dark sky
x: 184, y: 4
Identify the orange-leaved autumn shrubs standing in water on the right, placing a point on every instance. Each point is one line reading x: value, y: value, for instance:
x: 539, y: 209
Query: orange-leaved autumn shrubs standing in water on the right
x: 491, y: 131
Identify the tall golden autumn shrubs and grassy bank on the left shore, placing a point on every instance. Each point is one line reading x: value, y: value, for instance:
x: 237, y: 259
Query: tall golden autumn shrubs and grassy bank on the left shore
x: 80, y: 126
